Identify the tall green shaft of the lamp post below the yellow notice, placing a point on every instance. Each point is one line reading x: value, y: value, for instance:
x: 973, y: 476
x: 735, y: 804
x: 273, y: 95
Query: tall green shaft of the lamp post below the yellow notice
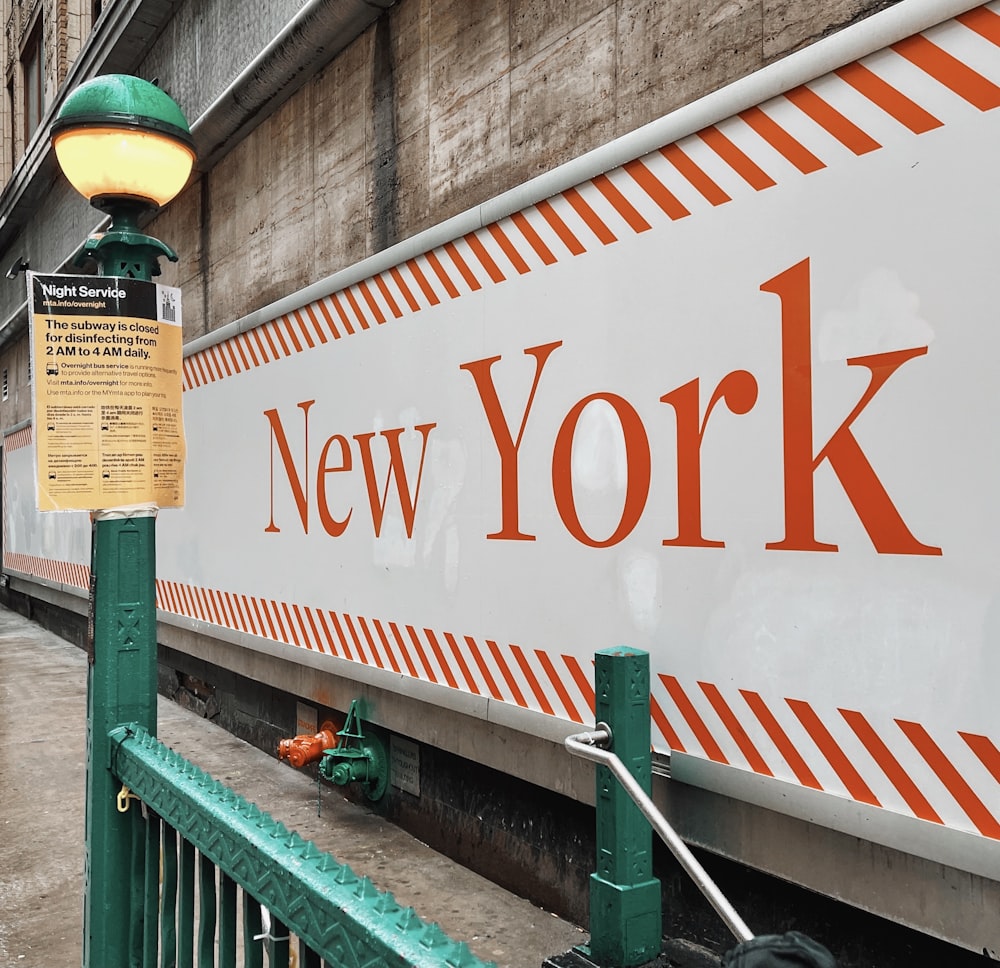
x: 121, y: 689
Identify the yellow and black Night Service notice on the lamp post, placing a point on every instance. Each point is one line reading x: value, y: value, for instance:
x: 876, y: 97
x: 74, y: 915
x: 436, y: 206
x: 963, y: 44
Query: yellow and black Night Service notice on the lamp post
x: 106, y: 358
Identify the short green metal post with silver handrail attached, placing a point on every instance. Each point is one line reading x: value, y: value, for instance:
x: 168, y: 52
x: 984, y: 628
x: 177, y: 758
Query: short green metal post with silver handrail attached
x: 625, y: 918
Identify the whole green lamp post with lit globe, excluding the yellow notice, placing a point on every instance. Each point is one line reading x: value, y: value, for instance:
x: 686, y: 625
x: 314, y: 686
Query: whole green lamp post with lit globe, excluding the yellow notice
x: 126, y: 147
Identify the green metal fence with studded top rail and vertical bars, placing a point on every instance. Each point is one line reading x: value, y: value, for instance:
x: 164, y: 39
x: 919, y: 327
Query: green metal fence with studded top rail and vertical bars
x: 341, y: 919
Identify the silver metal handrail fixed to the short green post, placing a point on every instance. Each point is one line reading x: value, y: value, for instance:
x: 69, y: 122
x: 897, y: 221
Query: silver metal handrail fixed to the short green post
x: 588, y: 746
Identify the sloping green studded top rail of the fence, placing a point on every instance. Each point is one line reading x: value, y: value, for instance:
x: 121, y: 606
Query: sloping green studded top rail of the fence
x: 308, y: 893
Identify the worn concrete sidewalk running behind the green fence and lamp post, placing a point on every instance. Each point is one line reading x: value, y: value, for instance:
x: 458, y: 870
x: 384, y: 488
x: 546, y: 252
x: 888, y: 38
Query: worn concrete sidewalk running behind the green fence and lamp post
x: 42, y: 776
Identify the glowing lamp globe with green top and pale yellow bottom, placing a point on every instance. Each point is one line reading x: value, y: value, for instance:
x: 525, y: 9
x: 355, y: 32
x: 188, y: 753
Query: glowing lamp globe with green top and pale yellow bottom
x: 121, y: 141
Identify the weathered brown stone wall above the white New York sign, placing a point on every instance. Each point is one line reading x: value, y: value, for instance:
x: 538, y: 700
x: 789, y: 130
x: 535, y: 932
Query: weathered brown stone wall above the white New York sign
x: 443, y: 104
